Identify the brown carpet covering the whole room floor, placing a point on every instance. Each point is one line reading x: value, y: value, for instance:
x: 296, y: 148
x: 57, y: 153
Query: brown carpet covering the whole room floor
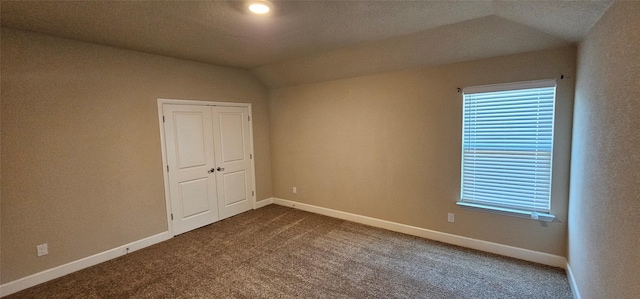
x: 278, y: 252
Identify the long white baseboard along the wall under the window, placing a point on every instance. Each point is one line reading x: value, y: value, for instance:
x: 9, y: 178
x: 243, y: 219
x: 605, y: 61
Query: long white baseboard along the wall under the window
x: 505, y: 250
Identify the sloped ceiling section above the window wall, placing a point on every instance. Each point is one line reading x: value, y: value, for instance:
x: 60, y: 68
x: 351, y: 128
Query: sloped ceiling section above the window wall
x: 475, y: 39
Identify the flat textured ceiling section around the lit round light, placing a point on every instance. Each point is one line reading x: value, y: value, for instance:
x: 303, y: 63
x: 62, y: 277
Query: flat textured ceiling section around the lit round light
x: 222, y: 33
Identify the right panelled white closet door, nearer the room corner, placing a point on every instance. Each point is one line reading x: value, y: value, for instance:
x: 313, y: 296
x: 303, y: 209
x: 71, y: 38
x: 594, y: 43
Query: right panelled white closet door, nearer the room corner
x: 234, y: 173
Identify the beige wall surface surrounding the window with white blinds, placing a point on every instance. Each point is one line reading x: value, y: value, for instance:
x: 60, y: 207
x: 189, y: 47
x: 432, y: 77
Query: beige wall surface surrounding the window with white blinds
x: 388, y: 146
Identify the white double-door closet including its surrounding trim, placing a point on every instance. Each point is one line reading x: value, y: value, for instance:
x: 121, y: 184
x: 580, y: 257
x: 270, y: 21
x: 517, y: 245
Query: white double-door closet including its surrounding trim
x: 208, y: 158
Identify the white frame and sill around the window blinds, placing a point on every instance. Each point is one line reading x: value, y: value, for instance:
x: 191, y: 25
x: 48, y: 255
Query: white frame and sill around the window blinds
x: 498, y: 209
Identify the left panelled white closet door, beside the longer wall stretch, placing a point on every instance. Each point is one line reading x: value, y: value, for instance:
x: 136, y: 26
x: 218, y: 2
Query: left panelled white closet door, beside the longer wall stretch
x: 190, y: 156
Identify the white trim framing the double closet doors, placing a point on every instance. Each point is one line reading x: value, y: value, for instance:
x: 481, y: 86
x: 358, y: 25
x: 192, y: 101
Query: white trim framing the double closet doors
x: 167, y: 193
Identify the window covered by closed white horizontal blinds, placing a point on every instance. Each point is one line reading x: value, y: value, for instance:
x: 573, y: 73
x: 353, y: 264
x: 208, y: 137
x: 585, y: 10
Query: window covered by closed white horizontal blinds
x: 507, y: 148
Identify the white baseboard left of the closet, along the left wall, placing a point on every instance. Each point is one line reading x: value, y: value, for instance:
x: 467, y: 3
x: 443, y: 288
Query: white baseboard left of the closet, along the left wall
x: 53, y: 273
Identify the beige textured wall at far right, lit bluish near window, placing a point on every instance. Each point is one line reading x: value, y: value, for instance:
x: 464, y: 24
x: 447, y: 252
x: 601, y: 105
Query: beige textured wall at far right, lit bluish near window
x: 604, y: 227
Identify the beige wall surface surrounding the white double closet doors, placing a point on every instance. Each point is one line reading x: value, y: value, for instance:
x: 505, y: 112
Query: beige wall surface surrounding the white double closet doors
x: 81, y: 158
